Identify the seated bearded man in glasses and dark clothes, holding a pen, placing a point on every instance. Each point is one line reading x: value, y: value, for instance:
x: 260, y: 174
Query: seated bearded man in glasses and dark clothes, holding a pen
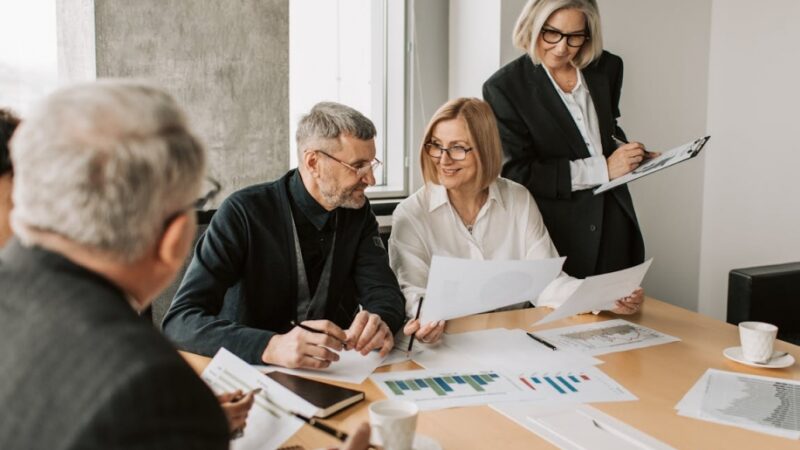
x: 292, y: 271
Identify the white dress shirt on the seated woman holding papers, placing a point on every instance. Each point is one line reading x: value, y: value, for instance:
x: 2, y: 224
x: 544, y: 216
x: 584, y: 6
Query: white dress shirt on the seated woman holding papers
x: 509, y: 226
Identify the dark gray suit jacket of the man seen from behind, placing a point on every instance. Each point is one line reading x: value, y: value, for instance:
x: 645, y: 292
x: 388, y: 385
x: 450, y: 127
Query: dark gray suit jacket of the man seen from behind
x: 79, y: 368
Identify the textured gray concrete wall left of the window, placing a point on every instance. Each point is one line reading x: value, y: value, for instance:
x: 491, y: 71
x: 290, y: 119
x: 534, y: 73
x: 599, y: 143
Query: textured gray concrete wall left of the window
x: 226, y: 62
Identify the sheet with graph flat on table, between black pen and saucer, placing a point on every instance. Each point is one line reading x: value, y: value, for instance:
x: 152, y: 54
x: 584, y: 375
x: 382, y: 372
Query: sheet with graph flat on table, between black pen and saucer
x: 599, y: 338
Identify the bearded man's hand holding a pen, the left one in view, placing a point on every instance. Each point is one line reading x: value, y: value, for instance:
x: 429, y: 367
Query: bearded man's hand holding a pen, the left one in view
x: 302, y: 349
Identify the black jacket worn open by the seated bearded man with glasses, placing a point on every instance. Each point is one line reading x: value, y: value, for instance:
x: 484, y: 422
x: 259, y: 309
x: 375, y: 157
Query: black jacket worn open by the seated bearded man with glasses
x: 241, y: 286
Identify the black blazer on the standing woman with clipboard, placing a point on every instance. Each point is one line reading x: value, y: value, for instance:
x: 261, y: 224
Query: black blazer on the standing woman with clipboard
x: 540, y: 138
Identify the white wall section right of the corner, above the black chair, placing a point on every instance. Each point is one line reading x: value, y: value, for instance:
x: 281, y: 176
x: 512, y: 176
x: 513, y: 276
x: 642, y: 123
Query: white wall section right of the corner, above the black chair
x: 752, y: 212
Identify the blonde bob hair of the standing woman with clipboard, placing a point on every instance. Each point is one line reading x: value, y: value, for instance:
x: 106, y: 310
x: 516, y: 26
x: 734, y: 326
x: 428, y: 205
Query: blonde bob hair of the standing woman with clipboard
x: 535, y: 14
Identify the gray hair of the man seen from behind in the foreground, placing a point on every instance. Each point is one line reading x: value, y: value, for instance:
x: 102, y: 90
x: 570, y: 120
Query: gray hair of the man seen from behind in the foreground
x: 104, y: 165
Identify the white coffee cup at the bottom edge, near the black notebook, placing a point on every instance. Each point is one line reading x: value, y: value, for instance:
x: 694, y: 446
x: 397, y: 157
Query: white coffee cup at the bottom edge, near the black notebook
x: 394, y: 423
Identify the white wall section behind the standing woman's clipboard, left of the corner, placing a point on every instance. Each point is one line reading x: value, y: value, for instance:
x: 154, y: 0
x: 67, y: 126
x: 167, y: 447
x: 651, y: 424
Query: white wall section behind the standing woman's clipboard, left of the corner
x: 664, y: 46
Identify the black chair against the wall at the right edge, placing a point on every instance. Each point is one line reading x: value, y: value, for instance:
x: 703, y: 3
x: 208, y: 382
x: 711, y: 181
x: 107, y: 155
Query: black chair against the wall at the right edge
x: 767, y: 294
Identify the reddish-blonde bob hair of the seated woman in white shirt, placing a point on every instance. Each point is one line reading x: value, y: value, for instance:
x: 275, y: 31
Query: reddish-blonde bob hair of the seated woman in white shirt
x: 483, y: 134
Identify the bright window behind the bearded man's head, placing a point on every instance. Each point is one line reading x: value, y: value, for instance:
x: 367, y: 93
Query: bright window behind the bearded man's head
x: 352, y: 52
